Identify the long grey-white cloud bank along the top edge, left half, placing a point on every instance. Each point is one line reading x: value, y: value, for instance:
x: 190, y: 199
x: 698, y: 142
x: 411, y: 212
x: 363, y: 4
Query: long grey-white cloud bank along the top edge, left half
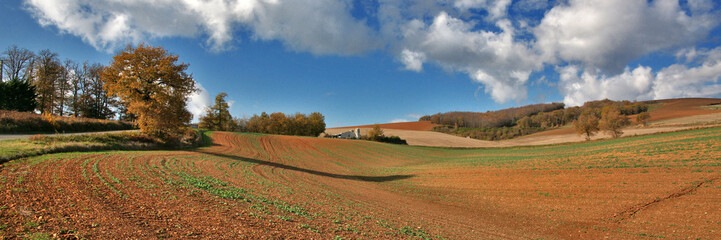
x: 316, y: 26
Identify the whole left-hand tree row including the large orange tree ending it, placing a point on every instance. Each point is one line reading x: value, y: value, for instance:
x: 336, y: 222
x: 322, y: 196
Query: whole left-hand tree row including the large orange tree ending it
x: 143, y: 84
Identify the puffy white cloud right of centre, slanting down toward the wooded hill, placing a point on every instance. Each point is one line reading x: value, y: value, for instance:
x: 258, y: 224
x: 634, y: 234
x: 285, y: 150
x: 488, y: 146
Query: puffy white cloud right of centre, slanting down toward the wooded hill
x: 494, y: 59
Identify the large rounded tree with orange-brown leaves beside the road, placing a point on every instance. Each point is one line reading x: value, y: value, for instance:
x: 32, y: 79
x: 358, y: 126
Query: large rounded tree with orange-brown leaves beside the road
x: 154, y: 86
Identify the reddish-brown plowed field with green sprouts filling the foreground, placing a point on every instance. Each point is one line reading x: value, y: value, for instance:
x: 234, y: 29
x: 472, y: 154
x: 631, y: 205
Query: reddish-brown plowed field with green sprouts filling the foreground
x: 270, y: 187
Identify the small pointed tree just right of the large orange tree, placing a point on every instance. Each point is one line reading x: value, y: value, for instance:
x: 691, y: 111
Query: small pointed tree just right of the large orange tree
x: 218, y: 116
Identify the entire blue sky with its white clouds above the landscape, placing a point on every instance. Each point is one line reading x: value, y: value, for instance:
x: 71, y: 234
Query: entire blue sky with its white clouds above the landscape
x: 363, y: 62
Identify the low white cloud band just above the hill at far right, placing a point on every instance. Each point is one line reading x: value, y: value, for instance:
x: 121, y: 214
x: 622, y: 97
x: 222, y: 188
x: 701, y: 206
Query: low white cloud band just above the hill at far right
x: 641, y: 83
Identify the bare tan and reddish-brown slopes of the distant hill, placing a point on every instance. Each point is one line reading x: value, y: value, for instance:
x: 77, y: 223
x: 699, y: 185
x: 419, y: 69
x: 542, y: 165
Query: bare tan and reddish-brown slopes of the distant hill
x: 666, y: 115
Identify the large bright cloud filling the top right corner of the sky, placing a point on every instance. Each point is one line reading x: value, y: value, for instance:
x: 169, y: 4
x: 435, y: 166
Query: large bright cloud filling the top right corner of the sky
x: 608, y: 34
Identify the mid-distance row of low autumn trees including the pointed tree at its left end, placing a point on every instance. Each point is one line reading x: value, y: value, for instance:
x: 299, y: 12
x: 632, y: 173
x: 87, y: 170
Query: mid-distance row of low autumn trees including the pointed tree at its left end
x: 218, y: 117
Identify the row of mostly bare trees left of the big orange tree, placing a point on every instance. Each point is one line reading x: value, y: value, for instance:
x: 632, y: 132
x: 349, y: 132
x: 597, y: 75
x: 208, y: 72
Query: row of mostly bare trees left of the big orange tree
x: 41, y: 81
